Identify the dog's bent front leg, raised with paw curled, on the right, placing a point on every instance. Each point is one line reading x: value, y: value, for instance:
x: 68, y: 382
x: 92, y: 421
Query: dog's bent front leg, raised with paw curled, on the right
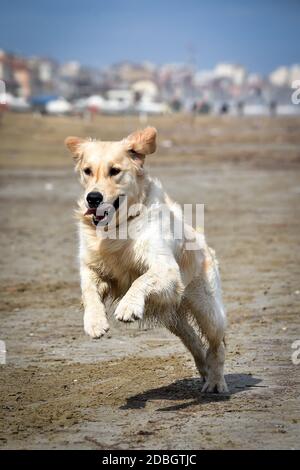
x: 162, y: 280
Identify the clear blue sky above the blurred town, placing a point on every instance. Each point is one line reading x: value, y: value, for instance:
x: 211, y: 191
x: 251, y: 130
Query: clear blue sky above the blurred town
x: 258, y: 34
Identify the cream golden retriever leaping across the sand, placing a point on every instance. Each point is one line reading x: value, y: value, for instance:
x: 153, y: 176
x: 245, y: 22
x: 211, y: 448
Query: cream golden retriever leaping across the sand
x: 149, y: 274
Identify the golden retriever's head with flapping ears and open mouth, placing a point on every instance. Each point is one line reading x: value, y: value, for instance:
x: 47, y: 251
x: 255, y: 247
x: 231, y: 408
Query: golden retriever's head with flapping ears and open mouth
x: 111, y: 170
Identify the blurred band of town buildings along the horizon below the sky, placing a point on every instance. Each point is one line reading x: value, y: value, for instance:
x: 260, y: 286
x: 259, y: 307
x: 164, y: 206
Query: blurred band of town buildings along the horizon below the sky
x: 45, y: 85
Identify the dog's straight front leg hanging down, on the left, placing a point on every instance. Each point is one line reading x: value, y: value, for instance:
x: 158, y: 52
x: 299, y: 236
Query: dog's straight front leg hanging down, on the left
x: 95, y: 321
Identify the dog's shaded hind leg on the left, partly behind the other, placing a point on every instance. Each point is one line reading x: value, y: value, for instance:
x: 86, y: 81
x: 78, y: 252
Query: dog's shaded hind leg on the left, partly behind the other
x: 179, y: 326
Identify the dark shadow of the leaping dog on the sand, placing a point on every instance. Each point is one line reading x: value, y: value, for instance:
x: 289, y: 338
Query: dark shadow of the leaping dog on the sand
x: 189, y: 391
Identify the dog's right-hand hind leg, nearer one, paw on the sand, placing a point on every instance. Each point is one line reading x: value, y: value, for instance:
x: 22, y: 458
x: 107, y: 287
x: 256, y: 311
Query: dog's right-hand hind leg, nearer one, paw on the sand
x: 206, y: 305
